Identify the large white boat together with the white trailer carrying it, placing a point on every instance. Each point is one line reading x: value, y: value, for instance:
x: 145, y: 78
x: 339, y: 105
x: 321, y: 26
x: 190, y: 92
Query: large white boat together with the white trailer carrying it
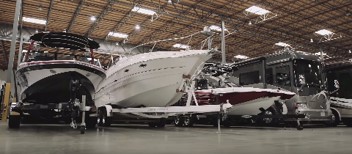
x: 146, y: 85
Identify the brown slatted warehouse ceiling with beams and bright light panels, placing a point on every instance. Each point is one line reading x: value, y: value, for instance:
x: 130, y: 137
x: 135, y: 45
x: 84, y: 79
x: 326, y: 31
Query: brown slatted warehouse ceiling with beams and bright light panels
x: 294, y: 22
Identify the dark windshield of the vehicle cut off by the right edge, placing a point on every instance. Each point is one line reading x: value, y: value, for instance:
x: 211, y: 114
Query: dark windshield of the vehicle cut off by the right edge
x: 344, y: 77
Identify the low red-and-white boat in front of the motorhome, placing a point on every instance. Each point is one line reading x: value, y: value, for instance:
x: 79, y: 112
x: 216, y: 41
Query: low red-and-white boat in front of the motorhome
x: 244, y: 100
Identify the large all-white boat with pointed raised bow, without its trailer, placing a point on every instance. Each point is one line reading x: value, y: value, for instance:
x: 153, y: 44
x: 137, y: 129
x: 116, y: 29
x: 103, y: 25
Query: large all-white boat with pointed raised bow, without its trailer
x: 150, y: 79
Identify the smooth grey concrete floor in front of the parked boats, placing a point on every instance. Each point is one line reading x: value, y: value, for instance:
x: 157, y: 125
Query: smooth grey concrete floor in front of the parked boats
x: 139, y: 139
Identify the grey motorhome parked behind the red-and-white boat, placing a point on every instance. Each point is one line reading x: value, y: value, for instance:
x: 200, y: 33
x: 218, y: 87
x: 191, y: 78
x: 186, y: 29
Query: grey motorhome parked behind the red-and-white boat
x: 291, y: 70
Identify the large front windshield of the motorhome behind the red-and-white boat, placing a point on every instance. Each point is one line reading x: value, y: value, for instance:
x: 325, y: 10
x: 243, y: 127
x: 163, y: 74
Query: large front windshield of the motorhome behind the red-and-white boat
x: 307, y: 73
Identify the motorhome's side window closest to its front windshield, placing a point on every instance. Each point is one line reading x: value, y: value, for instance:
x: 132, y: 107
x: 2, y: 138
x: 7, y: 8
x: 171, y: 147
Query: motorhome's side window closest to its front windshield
x: 283, y: 76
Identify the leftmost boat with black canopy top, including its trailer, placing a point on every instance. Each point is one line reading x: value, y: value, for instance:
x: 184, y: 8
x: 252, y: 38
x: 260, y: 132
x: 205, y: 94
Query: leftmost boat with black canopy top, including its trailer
x: 50, y: 84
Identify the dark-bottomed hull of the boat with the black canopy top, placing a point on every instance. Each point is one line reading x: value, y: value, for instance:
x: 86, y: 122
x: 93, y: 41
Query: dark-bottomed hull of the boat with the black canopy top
x: 46, y: 82
